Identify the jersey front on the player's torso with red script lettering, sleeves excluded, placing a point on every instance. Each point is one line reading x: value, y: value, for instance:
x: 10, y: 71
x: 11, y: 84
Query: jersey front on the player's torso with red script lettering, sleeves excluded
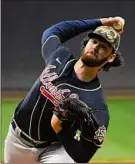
x: 56, y: 82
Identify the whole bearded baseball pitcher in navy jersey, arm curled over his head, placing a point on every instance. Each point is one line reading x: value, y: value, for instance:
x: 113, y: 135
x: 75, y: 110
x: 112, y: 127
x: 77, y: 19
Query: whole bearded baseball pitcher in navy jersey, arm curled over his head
x: 64, y: 116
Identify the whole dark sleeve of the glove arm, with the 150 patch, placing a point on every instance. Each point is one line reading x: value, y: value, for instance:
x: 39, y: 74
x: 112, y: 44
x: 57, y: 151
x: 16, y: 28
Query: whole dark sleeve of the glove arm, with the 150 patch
x: 91, y: 136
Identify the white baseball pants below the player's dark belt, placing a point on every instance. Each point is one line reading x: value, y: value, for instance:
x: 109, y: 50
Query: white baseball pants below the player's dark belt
x: 17, y: 150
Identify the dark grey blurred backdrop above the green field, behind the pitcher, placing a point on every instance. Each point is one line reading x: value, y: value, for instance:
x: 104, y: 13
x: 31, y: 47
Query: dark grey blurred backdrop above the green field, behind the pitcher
x: 23, y: 23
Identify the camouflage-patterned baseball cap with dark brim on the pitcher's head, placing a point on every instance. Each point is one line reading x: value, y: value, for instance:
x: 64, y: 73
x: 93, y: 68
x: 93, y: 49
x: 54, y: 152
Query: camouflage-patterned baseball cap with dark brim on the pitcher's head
x: 109, y: 34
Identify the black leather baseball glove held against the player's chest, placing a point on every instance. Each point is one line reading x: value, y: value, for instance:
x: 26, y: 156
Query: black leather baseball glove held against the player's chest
x: 69, y: 108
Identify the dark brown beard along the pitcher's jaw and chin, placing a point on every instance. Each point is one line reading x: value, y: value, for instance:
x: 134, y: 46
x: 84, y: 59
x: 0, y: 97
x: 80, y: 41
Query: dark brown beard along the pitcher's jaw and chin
x: 90, y: 62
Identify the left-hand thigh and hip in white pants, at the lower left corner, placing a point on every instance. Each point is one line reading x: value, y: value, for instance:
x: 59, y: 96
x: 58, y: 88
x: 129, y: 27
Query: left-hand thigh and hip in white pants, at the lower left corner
x: 17, y: 152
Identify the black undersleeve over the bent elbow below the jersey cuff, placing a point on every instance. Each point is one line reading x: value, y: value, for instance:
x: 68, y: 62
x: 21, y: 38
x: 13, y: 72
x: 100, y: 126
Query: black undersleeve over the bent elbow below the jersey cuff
x: 80, y: 151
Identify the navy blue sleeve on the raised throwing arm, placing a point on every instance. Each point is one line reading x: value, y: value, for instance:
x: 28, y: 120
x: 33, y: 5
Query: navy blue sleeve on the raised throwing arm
x: 59, y: 33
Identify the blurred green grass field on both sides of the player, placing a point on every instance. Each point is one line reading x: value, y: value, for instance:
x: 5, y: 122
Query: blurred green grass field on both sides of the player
x: 120, y: 140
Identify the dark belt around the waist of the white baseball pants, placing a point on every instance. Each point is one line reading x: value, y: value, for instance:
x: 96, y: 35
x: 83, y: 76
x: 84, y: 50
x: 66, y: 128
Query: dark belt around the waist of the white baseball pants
x: 23, y: 136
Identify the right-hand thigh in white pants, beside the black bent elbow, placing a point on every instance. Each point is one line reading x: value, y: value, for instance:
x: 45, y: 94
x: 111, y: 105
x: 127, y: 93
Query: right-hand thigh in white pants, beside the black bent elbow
x: 55, y: 153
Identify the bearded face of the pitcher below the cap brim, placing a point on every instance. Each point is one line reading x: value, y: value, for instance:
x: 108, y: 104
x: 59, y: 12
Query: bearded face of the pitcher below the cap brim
x: 96, y: 52
